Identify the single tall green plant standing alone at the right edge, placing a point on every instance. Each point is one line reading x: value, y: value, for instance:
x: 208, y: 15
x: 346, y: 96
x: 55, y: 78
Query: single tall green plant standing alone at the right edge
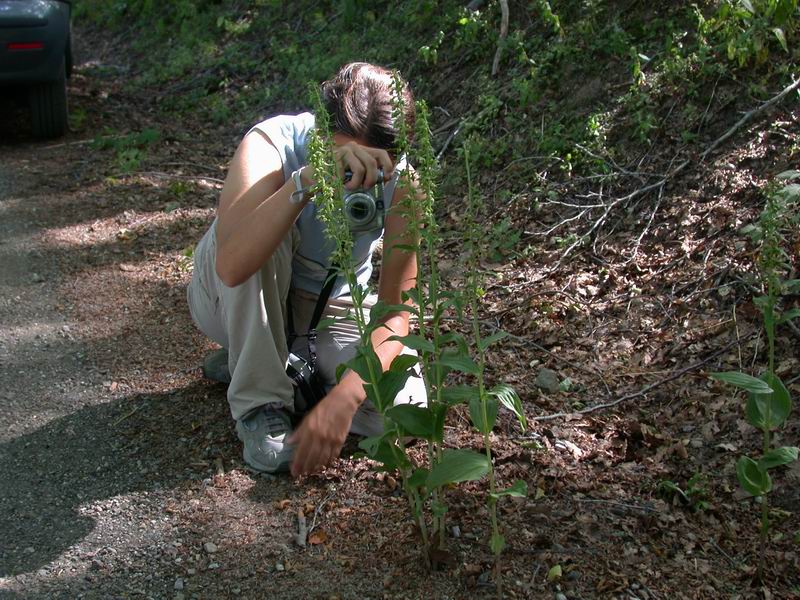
x: 769, y: 403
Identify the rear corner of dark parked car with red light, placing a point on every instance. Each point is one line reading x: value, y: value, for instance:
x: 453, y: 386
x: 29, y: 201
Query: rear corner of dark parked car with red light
x: 36, y: 55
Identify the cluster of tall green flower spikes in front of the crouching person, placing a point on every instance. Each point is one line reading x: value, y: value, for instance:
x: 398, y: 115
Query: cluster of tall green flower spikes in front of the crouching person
x: 425, y: 483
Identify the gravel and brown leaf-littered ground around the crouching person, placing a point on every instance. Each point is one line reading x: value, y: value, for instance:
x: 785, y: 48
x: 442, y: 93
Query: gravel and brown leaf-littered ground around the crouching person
x: 122, y: 475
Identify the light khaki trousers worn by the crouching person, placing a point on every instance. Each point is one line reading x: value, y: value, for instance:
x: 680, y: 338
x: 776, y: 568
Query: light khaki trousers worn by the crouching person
x: 250, y: 321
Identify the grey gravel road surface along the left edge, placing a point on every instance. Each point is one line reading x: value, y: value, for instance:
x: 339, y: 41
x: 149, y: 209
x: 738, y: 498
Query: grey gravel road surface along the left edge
x: 73, y: 499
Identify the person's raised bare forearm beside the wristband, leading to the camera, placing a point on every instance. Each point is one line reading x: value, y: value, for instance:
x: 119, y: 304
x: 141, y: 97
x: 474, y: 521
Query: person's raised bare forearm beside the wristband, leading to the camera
x: 244, y: 246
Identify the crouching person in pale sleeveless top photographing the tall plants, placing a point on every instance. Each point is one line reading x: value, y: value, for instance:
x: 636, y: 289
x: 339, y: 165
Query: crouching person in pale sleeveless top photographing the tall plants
x: 265, y: 259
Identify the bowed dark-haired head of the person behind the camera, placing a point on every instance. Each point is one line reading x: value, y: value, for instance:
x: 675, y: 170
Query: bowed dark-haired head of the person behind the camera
x: 358, y: 100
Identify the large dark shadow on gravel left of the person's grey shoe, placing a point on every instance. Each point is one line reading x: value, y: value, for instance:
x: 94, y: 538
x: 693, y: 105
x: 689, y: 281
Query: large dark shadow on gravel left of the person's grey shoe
x: 131, y: 444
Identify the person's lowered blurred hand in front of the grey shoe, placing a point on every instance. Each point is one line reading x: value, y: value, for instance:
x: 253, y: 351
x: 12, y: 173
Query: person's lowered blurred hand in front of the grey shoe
x: 322, y: 433
